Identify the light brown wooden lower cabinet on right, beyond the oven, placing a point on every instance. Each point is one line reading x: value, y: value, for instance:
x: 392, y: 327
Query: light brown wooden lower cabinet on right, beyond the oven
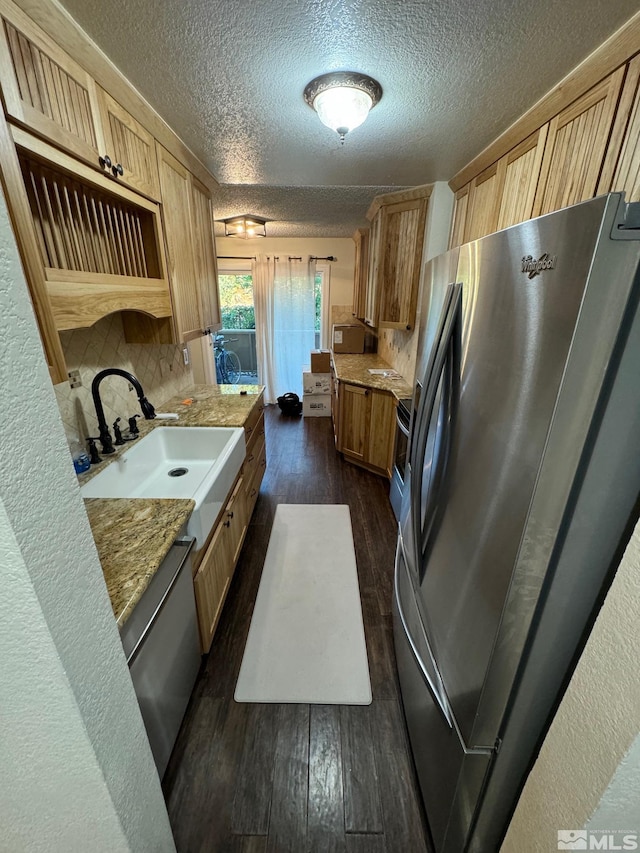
x: 367, y: 427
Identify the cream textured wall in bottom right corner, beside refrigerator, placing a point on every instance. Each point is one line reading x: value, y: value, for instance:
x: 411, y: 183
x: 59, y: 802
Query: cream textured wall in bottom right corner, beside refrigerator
x: 587, y: 770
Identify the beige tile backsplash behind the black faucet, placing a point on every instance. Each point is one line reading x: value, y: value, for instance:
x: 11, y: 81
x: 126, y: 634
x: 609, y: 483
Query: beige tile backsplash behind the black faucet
x: 160, y: 370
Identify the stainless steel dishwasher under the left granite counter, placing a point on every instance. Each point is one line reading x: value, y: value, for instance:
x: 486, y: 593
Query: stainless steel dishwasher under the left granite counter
x: 162, y: 646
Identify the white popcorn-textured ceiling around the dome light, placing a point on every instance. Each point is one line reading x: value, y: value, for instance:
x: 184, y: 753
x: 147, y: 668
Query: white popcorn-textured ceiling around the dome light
x: 229, y: 77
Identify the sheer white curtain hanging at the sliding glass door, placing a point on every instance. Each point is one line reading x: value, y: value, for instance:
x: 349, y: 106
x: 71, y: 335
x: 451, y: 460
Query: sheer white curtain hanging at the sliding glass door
x: 285, y: 322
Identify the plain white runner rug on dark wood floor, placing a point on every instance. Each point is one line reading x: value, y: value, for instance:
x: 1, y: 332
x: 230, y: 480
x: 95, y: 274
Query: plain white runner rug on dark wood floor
x: 306, y: 641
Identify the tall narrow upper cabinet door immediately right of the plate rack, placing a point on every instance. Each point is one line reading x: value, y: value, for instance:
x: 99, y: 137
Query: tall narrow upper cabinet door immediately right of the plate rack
x: 175, y: 185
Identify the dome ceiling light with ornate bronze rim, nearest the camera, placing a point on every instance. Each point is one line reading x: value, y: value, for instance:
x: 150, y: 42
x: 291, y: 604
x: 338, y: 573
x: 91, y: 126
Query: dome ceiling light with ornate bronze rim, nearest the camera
x: 343, y: 99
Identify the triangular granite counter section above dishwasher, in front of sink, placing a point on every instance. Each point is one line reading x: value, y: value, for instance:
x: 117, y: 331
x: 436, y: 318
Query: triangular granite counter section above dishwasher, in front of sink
x: 133, y: 536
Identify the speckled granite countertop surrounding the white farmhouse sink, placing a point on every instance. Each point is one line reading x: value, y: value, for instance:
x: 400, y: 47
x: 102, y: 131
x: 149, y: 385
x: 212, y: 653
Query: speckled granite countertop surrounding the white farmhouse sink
x: 133, y: 536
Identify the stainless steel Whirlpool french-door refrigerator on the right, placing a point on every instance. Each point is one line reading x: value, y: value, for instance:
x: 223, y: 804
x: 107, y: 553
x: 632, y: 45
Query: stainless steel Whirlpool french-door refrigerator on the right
x: 520, y: 493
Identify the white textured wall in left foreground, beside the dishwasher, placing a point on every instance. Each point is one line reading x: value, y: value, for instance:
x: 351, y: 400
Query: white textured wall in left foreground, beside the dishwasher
x: 77, y: 771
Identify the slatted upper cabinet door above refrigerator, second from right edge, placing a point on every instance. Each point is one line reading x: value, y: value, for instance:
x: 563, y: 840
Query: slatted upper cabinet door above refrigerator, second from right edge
x: 576, y: 146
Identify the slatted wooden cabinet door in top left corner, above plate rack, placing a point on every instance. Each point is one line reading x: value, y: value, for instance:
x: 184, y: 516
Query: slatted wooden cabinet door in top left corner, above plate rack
x: 45, y: 90
